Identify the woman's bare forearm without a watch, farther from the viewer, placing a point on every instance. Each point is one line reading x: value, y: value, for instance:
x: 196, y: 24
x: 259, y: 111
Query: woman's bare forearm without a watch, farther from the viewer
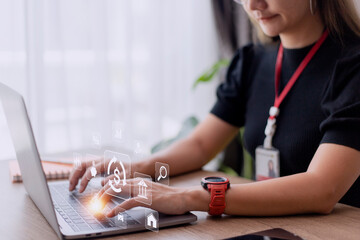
x: 190, y: 154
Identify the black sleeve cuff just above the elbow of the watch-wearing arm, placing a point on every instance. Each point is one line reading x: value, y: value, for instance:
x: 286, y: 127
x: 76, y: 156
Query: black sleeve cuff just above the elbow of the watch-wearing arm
x: 343, y: 135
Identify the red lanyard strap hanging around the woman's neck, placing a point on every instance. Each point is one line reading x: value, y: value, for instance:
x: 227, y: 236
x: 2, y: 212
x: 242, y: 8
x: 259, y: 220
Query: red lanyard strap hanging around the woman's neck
x: 295, y: 76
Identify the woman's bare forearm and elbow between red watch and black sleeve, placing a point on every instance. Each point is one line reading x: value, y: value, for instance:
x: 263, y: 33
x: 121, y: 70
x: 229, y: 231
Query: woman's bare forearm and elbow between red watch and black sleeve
x: 331, y: 173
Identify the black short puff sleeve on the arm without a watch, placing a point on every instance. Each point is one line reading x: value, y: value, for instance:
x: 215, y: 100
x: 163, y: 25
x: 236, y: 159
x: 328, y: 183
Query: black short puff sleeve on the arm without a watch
x: 231, y: 99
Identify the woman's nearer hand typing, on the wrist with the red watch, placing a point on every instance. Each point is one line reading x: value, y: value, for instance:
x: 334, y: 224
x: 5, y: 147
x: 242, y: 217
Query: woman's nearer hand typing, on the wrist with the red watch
x: 165, y: 199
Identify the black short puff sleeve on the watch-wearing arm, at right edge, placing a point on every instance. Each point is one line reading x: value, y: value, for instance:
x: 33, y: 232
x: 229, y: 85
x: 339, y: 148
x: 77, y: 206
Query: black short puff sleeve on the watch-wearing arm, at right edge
x: 341, y: 104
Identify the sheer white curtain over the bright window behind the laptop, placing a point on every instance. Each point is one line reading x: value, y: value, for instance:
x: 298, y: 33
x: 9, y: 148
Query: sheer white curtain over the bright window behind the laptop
x: 85, y: 65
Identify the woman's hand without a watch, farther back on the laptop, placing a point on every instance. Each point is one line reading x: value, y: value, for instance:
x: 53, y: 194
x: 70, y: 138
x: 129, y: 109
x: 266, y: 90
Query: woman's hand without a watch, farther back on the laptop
x: 84, y: 172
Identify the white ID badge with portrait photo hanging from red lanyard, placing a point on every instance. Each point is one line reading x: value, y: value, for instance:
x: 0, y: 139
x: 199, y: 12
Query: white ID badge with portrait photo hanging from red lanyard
x: 267, y: 163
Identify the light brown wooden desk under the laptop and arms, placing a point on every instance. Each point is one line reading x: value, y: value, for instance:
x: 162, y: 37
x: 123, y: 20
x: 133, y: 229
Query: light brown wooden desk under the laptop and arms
x: 20, y: 219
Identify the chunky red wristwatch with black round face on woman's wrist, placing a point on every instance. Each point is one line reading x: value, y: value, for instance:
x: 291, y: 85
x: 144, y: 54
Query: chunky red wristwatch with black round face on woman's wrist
x: 217, y: 187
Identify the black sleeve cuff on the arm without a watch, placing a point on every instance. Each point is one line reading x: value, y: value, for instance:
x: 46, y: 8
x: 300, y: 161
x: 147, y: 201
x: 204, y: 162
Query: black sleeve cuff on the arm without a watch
x: 228, y: 114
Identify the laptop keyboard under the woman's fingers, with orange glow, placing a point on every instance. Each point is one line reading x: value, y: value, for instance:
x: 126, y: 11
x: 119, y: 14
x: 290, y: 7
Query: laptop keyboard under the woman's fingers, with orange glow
x: 71, y: 206
